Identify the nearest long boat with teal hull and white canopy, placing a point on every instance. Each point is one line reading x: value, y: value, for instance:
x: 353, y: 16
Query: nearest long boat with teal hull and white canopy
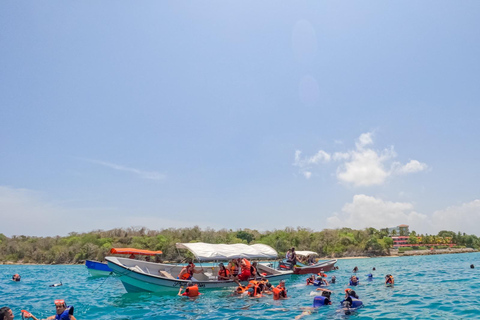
x: 138, y: 276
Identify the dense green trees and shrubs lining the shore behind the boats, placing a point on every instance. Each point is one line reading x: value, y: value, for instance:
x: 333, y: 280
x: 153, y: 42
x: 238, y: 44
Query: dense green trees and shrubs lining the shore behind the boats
x: 95, y: 245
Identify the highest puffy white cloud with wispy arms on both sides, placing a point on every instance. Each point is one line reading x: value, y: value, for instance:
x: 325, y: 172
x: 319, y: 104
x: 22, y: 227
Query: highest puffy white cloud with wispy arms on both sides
x: 362, y: 166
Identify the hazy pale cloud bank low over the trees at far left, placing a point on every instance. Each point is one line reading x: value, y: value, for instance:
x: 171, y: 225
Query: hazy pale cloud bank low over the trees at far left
x: 27, y: 212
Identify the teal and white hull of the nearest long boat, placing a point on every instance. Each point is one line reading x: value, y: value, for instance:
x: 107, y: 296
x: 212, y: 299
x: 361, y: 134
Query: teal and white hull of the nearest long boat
x: 143, y: 277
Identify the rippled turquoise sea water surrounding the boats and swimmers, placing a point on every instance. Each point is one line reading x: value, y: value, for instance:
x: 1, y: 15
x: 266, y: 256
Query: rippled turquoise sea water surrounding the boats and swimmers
x: 426, y: 287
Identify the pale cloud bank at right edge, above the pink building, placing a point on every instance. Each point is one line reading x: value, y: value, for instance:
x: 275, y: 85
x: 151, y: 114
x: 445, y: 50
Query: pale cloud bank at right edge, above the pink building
x: 464, y: 218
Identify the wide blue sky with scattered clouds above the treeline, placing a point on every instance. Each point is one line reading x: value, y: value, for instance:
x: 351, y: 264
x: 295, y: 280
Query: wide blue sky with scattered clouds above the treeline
x: 239, y: 114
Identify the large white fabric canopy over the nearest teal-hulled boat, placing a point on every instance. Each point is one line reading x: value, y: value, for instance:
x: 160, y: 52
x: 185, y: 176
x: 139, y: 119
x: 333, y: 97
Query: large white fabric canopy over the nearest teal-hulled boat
x: 222, y: 252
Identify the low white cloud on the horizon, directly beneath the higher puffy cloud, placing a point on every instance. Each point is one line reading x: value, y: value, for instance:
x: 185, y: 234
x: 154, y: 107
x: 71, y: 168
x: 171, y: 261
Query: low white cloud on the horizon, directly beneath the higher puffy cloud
x: 366, y: 211
